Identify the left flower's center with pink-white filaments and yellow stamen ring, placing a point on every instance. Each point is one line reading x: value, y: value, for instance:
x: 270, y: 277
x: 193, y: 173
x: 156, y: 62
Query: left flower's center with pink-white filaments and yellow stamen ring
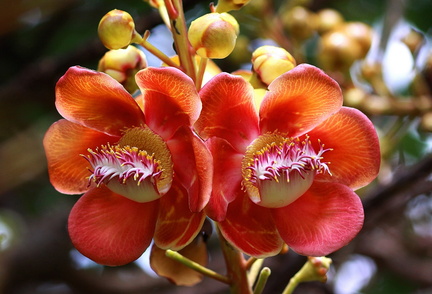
x: 139, y: 167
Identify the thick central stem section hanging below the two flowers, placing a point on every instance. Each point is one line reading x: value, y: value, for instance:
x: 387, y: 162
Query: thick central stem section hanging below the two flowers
x: 236, y: 268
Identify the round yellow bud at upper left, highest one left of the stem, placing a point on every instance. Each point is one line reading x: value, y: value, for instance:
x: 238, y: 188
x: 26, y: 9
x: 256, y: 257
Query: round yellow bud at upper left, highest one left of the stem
x: 117, y: 29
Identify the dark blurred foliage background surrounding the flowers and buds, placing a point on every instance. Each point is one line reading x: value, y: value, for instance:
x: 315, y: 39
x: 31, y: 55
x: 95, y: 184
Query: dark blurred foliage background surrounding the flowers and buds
x: 40, y: 39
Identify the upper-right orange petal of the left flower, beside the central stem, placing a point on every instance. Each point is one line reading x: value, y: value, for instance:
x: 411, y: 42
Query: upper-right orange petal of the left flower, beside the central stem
x: 170, y: 99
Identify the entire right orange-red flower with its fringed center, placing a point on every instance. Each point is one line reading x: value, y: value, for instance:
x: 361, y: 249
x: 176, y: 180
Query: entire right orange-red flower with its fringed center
x: 286, y: 173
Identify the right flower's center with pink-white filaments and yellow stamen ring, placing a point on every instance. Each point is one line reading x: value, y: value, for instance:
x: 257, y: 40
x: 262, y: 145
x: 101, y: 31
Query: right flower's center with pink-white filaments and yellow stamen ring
x: 278, y: 170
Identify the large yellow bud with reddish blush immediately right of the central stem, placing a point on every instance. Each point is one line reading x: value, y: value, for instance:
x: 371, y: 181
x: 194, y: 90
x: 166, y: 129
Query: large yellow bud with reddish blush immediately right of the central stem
x: 214, y: 35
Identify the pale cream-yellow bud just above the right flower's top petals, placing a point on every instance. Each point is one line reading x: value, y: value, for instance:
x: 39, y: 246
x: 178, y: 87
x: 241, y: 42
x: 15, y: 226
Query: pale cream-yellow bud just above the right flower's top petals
x: 269, y: 62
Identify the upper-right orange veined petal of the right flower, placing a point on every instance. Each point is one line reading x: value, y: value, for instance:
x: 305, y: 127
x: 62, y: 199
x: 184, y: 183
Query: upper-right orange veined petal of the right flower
x: 299, y: 100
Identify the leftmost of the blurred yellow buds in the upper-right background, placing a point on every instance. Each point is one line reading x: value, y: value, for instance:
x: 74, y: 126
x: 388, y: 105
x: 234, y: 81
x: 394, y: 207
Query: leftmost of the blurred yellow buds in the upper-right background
x: 300, y: 22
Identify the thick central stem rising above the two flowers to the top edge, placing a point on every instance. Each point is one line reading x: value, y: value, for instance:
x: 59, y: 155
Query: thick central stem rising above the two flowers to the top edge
x: 181, y: 41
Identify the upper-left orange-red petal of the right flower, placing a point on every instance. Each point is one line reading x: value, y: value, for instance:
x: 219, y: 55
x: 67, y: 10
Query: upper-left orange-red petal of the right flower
x: 228, y: 111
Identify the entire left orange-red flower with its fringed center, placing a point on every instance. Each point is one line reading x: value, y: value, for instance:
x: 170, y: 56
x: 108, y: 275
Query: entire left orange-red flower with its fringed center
x: 144, y: 173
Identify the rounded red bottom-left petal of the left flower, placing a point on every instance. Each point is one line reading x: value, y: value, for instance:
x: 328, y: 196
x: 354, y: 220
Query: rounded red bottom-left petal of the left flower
x: 111, y: 229
